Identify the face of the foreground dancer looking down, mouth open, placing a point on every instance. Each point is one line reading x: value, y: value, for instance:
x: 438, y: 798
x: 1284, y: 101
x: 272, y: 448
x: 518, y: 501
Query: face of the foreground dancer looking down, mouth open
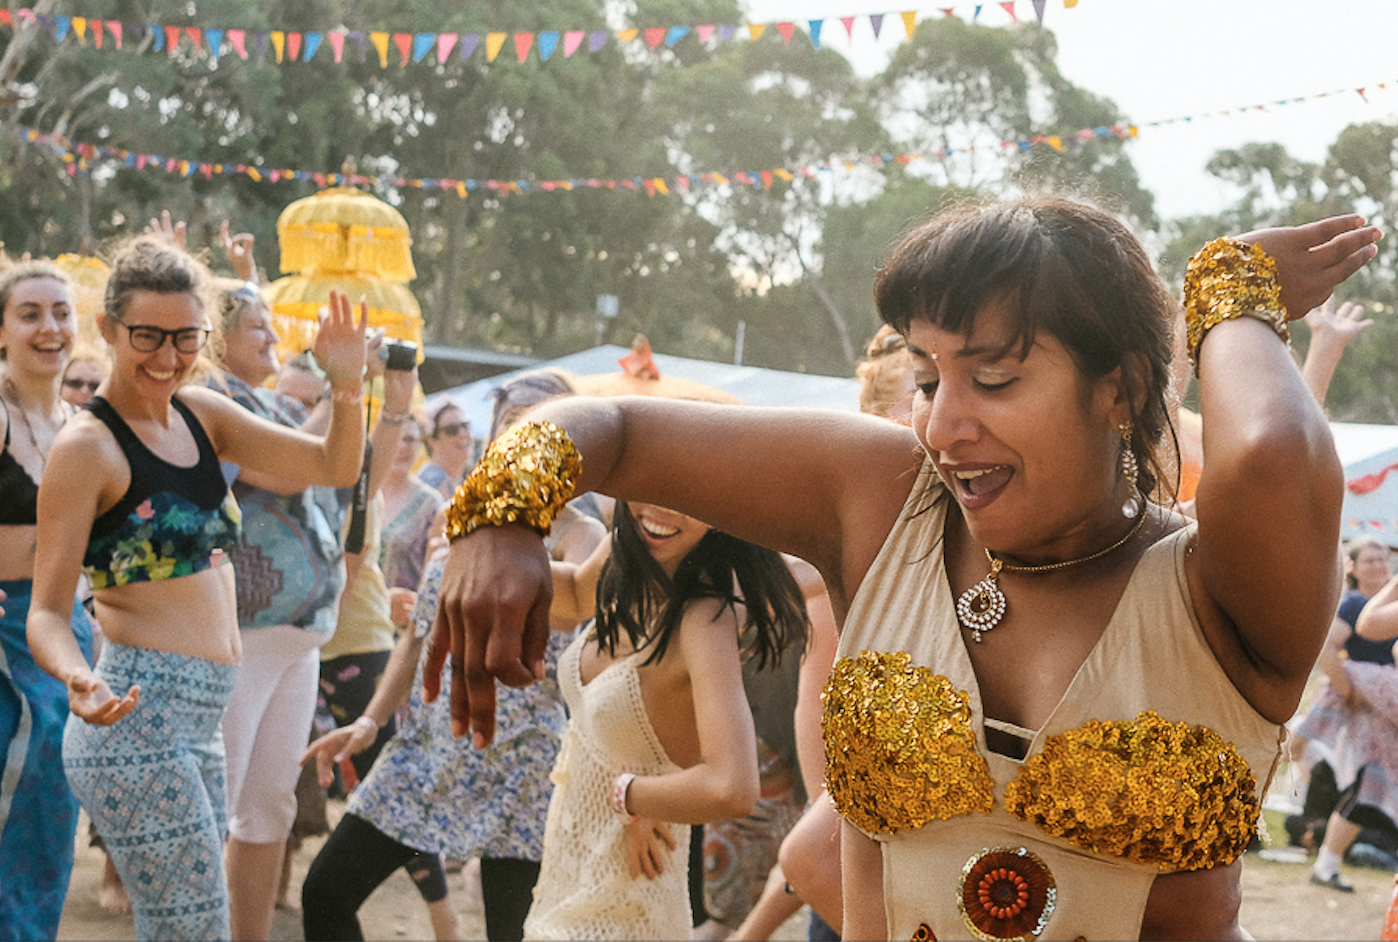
x: 1027, y: 444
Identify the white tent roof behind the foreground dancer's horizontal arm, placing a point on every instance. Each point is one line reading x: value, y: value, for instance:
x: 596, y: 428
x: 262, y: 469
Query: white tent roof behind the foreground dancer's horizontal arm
x: 753, y: 385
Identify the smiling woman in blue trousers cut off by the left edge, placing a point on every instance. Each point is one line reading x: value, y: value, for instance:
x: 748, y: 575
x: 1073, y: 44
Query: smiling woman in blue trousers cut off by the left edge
x: 38, y: 813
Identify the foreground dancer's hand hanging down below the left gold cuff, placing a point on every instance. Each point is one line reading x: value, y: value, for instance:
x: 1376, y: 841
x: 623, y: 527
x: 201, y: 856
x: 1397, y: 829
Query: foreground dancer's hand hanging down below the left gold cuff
x: 493, y: 620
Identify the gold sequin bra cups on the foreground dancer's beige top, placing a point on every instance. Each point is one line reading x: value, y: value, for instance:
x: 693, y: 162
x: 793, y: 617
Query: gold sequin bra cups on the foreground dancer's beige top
x: 901, y: 753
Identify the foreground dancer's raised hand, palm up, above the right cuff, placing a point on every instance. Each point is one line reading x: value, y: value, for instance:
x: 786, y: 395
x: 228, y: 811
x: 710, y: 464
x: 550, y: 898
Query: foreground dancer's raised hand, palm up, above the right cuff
x: 1315, y: 258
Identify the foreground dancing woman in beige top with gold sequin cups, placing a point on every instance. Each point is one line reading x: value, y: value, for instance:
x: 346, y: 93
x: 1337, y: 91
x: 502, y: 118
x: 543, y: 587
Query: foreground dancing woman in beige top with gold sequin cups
x: 1058, y: 702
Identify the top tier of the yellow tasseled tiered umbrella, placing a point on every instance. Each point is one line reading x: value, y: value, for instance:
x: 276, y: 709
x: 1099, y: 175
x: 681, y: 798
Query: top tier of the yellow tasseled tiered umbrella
x: 346, y: 230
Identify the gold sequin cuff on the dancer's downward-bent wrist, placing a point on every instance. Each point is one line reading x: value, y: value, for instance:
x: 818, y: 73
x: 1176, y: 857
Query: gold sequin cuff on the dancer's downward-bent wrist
x: 526, y: 477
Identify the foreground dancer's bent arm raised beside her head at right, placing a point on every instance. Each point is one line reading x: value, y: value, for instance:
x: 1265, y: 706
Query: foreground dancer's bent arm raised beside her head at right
x: 1266, y: 575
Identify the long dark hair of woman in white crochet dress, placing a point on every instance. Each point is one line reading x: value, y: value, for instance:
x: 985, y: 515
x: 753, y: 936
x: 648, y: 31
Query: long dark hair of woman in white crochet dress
x: 635, y: 596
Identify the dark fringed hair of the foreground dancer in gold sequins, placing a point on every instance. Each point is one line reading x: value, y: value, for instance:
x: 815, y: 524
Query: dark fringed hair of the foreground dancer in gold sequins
x: 1066, y: 268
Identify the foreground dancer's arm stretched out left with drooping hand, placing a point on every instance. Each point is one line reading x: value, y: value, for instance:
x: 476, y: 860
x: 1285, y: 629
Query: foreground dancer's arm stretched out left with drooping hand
x: 796, y: 481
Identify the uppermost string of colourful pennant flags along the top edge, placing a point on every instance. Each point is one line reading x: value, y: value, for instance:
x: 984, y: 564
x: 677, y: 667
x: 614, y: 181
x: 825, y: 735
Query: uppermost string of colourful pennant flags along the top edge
x: 290, y: 47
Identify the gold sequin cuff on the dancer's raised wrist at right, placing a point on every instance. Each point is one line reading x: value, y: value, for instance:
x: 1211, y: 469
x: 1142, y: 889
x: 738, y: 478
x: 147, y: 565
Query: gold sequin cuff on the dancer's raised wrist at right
x: 1230, y: 279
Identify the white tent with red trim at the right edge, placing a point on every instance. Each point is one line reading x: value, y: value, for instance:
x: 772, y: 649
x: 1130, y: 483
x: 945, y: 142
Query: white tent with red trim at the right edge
x: 1371, y: 459
